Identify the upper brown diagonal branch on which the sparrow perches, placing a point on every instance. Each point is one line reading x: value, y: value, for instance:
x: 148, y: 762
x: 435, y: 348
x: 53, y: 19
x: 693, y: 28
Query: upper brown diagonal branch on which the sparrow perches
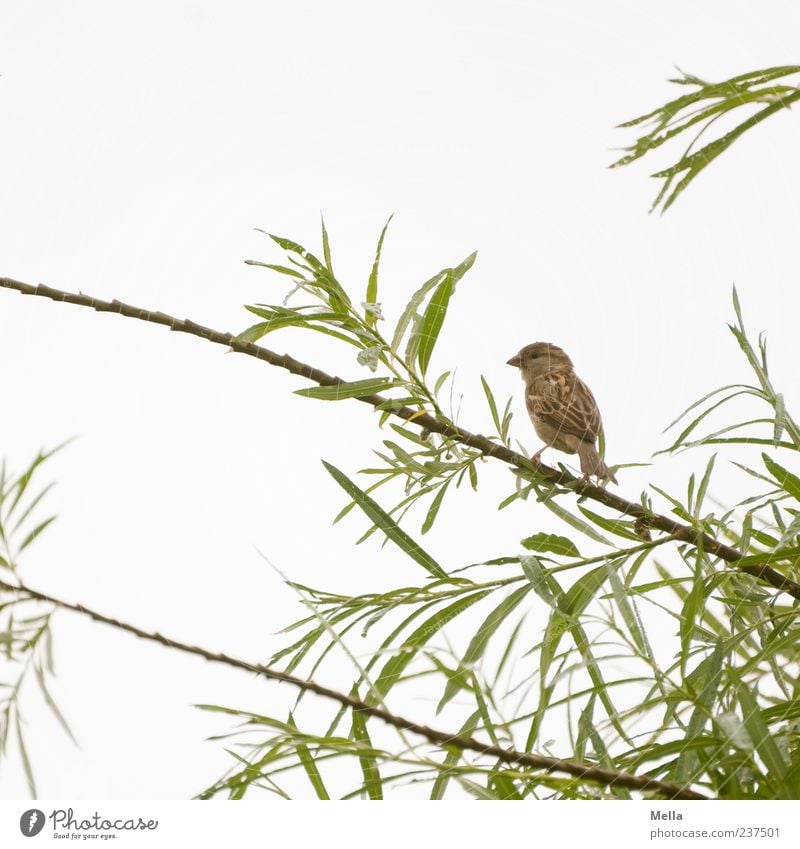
x: 684, y: 533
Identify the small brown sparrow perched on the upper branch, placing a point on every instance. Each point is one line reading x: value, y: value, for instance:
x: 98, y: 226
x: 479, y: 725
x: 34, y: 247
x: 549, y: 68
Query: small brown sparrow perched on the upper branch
x: 561, y: 406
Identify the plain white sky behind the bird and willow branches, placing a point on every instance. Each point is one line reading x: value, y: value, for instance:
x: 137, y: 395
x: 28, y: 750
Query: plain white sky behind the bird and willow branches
x: 140, y: 146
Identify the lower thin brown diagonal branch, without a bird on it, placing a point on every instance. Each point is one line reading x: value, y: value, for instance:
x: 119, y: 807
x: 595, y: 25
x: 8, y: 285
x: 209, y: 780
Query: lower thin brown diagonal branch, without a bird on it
x: 596, y: 775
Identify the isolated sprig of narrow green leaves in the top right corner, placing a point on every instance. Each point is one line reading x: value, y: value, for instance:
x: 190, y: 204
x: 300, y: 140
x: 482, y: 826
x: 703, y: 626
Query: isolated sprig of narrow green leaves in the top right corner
x: 695, y: 114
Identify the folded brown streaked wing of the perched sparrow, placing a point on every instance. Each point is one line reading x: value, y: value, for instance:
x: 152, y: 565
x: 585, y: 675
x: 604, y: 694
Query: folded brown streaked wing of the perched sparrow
x: 563, y: 401
